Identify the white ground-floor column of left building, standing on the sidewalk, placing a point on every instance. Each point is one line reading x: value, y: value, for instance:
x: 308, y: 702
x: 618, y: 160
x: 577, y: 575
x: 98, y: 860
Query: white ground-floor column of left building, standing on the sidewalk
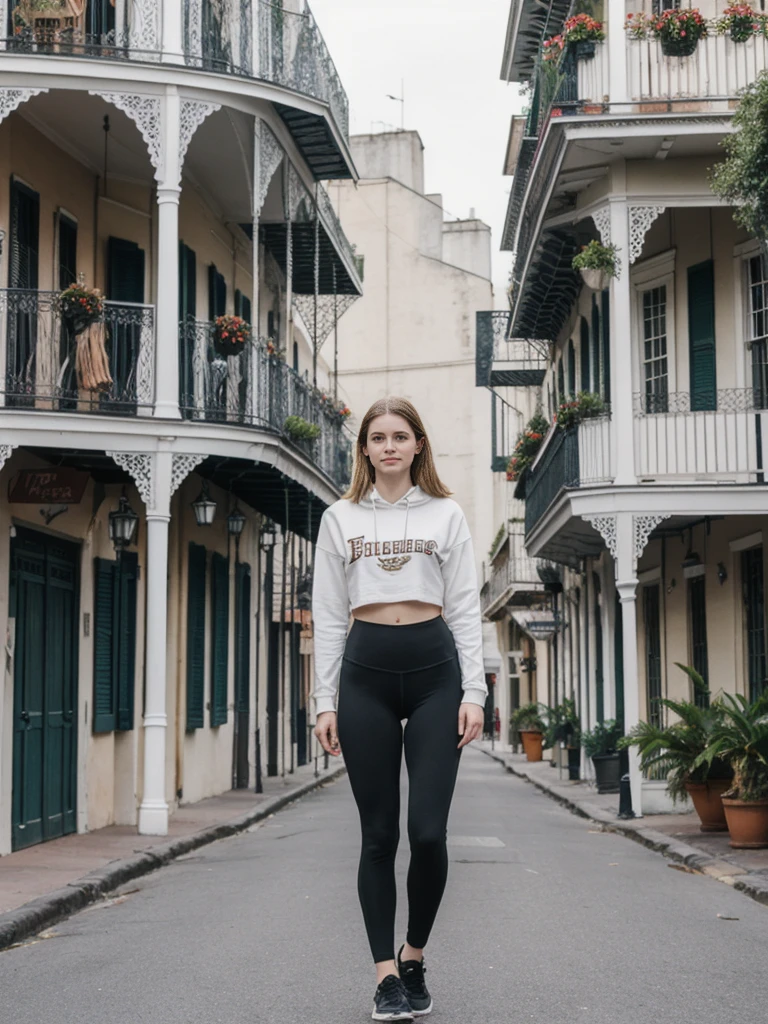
x: 153, y: 815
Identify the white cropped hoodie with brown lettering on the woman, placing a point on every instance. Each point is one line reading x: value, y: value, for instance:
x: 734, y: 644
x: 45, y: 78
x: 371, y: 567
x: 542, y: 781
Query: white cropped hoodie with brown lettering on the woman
x: 415, y: 549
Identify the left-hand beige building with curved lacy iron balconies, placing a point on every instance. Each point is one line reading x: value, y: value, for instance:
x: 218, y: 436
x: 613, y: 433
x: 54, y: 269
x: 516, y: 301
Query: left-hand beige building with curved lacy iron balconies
x: 170, y: 155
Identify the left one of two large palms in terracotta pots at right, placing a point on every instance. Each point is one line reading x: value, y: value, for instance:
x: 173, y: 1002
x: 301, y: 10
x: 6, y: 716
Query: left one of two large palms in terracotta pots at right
x: 678, y: 750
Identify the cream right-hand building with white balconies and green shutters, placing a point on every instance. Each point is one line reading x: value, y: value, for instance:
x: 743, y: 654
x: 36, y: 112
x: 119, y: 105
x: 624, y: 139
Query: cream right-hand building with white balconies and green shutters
x: 654, y: 511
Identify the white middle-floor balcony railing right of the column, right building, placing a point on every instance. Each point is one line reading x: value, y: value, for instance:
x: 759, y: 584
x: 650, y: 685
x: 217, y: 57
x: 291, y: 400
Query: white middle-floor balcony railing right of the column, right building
x: 729, y: 443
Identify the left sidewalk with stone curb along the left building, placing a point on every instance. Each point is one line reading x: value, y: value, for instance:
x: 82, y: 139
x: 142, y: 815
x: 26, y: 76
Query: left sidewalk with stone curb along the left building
x: 46, y: 883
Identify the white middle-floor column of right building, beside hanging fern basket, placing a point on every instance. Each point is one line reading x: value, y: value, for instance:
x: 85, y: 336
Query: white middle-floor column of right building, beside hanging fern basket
x: 622, y: 400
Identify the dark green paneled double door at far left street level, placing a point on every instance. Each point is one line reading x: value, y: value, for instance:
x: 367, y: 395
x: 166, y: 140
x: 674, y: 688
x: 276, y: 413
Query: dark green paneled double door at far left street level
x: 45, y: 602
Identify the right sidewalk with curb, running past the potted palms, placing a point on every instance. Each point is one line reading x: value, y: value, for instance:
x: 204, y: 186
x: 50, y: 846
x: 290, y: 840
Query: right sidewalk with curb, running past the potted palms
x: 675, y: 836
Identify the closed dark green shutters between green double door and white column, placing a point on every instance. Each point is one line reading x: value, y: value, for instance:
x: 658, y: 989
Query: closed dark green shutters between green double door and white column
x: 114, y: 643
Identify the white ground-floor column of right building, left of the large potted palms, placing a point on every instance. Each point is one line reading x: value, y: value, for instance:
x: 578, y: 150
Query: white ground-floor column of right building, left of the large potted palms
x: 627, y: 587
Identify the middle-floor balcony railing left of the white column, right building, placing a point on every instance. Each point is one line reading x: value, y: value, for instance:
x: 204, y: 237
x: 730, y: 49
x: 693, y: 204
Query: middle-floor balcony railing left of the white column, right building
x: 570, y: 459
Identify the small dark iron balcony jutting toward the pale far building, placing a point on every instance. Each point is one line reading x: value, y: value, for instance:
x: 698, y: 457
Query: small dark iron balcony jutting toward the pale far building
x: 501, y: 361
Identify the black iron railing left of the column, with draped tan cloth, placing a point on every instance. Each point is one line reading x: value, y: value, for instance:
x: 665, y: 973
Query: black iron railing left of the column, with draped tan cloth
x: 42, y: 357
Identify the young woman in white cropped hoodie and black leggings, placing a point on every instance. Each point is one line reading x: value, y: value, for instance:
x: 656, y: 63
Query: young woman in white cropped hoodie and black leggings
x: 397, y: 553
